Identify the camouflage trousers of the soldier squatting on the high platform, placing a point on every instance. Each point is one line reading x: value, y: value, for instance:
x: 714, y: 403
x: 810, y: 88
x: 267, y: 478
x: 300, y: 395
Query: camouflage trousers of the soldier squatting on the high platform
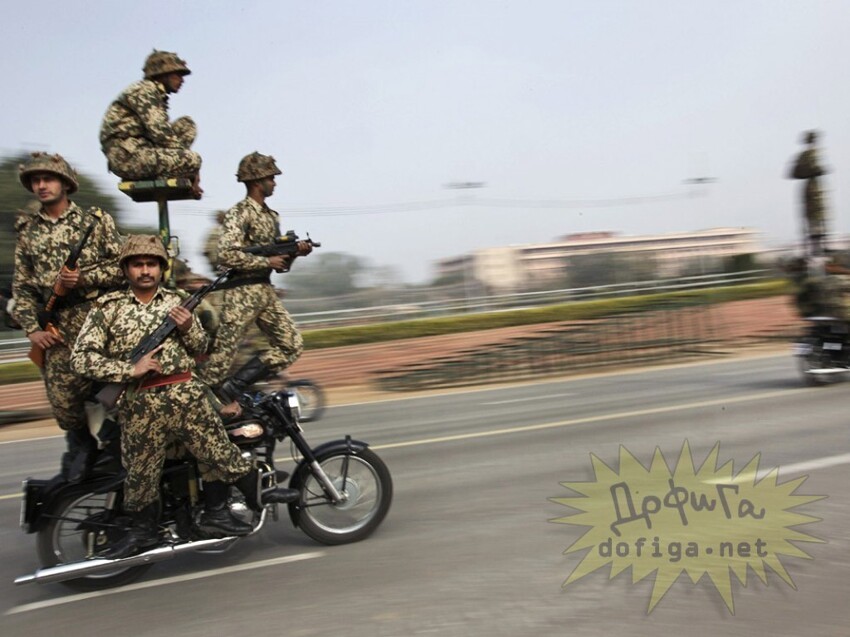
x: 137, y: 158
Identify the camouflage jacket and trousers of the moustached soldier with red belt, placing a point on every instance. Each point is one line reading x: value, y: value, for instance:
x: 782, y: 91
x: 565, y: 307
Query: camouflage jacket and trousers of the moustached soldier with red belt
x: 151, y: 418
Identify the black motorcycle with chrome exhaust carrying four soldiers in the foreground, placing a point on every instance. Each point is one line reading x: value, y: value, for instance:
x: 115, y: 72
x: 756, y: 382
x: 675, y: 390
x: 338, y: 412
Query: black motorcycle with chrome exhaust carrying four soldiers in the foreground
x: 345, y: 493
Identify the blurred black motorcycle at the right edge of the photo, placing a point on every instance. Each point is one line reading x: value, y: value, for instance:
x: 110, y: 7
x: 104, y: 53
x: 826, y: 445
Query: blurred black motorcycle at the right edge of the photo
x: 824, y: 350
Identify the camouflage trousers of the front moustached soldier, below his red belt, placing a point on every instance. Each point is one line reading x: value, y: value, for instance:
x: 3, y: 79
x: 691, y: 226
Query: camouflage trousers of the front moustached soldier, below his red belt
x: 151, y: 420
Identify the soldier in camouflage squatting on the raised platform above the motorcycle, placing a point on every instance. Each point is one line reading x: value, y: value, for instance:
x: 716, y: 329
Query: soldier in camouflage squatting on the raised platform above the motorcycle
x: 136, y: 135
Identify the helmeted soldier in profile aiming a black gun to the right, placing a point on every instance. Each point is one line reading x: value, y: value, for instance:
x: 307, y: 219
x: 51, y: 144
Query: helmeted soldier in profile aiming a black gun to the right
x: 249, y: 297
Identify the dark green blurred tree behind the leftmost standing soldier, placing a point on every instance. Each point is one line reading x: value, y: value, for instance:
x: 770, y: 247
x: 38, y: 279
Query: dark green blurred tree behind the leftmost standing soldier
x: 14, y: 198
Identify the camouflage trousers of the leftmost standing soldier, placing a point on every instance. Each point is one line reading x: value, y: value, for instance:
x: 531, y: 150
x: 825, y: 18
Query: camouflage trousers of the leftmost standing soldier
x: 66, y: 390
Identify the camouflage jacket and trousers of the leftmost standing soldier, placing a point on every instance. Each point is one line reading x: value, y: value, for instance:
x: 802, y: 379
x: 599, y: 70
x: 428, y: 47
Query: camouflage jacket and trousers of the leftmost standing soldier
x: 41, y: 249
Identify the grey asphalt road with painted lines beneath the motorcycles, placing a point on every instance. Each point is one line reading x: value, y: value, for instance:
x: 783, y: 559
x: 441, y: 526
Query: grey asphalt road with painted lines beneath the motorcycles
x: 469, y: 547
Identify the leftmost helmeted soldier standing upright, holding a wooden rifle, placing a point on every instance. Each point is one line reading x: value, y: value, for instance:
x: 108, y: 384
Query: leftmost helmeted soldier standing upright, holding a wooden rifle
x: 44, y: 240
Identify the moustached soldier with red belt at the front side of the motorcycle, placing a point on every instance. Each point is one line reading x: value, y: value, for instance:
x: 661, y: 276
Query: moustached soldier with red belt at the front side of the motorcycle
x: 164, y: 402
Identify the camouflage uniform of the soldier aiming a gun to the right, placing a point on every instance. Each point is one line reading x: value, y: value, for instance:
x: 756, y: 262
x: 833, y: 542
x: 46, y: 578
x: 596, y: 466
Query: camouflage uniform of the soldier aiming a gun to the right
x: 253, y: 298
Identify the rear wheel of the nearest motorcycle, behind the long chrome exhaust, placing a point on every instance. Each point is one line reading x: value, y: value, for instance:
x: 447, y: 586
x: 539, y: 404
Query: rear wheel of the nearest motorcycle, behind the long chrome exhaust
x: 80, y: 524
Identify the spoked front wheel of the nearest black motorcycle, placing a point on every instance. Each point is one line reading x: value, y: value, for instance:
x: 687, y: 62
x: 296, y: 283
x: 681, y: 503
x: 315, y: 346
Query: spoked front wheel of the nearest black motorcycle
x: 365, y: 482
